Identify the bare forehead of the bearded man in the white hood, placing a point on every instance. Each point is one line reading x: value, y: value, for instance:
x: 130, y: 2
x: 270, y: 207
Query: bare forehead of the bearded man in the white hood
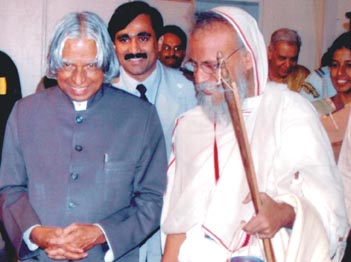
x: 204, y: 43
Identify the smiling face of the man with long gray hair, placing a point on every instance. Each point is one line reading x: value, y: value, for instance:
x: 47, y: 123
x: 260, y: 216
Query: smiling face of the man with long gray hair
x: 79, y: 77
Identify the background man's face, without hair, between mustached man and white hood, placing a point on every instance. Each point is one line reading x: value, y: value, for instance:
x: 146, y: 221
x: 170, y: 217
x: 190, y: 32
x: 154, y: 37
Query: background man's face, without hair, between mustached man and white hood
x: 171, y: 52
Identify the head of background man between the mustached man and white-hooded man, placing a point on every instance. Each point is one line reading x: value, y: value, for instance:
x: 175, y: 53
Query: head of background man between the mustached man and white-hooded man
x: 172, y: 46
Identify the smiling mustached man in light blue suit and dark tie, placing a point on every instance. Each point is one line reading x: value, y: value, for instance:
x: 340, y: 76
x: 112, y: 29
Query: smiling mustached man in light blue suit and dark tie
x: 135, y: 28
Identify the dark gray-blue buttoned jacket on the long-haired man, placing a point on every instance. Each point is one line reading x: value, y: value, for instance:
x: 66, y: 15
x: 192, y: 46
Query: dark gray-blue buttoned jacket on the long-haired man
x: 106, y: 165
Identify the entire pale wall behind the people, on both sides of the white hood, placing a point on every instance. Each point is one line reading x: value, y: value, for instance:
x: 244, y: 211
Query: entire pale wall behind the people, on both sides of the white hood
x: 26, y: 26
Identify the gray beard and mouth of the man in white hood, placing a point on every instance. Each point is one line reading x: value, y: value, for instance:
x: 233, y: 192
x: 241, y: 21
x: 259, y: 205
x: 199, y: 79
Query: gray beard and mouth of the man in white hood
x: 210, y: 96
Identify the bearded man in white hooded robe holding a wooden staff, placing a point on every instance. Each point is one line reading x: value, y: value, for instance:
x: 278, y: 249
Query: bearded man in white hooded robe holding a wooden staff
x: 207, y: 214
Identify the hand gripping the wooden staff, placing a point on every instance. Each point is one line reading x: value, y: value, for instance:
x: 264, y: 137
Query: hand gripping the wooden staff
x: 271, y: 217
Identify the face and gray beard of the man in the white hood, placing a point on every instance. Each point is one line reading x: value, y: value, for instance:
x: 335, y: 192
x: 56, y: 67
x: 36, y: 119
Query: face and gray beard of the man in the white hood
x: 204, y: 45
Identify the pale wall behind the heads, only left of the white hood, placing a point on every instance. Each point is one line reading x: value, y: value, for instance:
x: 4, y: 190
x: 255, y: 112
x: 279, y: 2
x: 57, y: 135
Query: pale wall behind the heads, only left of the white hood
x: 27, y: 26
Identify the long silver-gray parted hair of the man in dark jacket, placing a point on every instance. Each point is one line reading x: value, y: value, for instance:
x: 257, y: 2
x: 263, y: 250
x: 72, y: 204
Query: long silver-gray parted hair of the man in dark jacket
x: 91, y: 26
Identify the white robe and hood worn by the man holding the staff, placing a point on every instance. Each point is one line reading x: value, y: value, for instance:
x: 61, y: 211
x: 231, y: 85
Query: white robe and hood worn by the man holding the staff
x: 286, y: 137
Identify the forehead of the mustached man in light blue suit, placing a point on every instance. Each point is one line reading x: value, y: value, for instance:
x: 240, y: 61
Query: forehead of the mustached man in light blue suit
x: 141, y: 23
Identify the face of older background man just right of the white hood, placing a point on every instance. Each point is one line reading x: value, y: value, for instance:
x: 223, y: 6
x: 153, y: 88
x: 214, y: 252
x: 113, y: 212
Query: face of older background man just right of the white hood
x: 282, y: 57
